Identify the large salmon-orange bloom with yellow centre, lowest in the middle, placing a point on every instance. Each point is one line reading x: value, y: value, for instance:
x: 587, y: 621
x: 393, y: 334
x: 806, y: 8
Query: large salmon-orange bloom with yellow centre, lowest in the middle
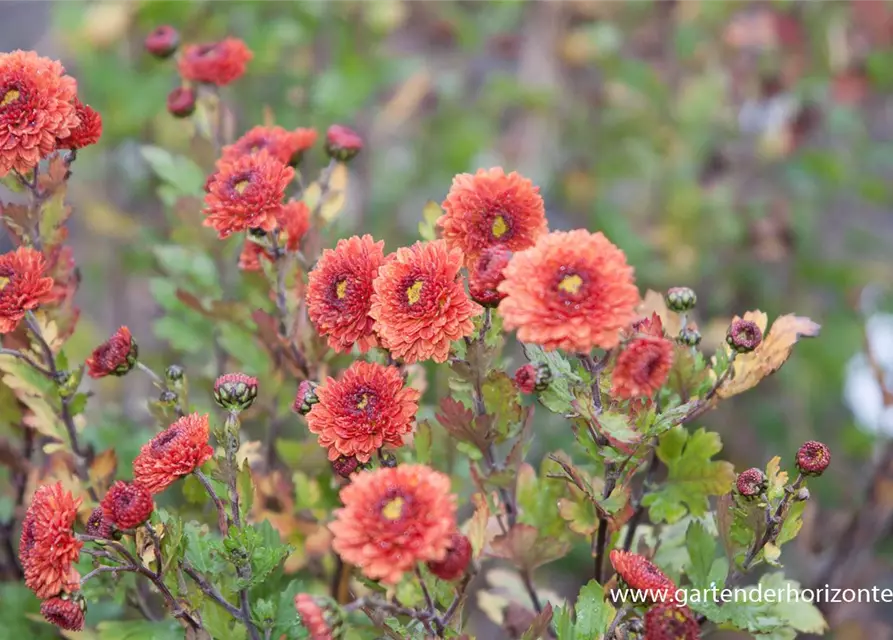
x: 393, y: 518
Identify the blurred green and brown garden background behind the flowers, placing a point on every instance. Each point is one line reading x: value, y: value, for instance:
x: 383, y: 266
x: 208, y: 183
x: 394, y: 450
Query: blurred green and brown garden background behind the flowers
x: 740, y: 148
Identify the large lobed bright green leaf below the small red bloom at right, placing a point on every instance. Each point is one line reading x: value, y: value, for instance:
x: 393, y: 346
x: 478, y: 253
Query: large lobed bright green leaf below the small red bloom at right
x: 692, y: 475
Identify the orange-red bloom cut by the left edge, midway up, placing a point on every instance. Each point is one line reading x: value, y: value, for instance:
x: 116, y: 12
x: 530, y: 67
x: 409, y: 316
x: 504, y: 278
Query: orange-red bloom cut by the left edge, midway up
x: 26, y: 285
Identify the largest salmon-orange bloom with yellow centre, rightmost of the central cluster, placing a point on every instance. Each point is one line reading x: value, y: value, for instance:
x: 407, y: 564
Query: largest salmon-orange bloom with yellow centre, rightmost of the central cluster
x: 573, y: 290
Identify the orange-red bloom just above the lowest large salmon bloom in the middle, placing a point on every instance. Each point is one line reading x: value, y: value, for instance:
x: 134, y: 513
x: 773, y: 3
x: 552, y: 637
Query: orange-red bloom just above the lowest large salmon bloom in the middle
x: 367, y: 408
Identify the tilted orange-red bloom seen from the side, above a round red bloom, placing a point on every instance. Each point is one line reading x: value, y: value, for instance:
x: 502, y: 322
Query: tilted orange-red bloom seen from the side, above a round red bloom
x: 175, y: 452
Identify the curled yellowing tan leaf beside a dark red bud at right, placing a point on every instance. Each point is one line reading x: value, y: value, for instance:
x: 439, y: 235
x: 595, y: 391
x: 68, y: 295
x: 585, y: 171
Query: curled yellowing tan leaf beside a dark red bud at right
x: 771, y: 354
